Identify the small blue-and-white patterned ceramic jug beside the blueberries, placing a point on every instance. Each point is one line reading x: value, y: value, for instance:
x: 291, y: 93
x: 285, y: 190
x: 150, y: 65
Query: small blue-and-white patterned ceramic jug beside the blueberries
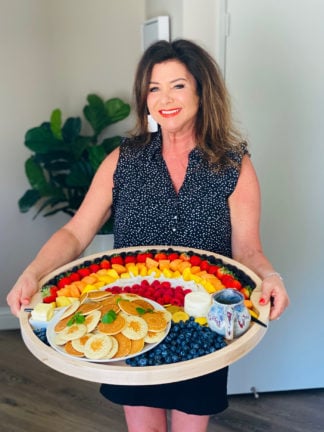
x: 228, y: 315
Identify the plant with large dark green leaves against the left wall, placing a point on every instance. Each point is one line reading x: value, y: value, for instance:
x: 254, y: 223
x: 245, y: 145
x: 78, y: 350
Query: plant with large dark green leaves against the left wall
x: 64, y: 161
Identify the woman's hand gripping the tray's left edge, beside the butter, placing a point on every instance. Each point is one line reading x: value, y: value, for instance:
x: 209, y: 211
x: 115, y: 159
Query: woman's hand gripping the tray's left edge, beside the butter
x: 22, y: 292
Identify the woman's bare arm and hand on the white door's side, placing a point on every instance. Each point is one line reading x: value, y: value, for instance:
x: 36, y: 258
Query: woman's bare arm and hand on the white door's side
x: 246, y: 244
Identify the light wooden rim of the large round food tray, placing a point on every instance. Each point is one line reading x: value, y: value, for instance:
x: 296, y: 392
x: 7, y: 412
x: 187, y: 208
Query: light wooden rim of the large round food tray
x: 120, y: 372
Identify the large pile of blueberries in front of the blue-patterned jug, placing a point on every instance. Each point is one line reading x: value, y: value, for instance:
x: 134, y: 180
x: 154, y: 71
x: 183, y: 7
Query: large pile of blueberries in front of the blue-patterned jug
x: 186, y: 340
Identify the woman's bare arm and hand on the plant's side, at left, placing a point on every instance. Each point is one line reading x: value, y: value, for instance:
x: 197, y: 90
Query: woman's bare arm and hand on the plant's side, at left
x: 69, y: 242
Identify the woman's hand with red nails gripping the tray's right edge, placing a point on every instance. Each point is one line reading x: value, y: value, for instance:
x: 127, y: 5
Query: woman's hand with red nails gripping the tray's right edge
x: 274, y: 291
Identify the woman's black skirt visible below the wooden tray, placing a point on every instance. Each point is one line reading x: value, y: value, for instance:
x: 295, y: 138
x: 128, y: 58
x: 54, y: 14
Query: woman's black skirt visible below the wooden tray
x: 205, y: 395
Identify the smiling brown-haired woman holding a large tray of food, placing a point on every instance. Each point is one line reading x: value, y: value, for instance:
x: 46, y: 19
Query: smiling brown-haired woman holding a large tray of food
x: 191, y: 184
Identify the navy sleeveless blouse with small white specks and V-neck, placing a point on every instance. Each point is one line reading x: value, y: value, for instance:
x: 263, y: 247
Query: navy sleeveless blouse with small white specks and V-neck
x: 148, y: 211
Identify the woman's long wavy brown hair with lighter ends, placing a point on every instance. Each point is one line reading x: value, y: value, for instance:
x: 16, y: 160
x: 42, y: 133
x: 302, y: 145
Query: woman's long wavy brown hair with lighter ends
x: 216, y: 135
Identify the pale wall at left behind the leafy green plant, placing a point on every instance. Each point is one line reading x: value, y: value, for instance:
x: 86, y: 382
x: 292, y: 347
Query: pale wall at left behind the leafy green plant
x: 54, y: 53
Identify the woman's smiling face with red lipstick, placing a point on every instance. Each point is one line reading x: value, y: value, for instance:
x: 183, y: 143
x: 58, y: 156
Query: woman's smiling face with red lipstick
x: 172, y: 97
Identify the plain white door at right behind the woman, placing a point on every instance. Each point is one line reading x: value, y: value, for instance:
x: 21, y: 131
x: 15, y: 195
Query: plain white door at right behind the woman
x: 275, y: 73
